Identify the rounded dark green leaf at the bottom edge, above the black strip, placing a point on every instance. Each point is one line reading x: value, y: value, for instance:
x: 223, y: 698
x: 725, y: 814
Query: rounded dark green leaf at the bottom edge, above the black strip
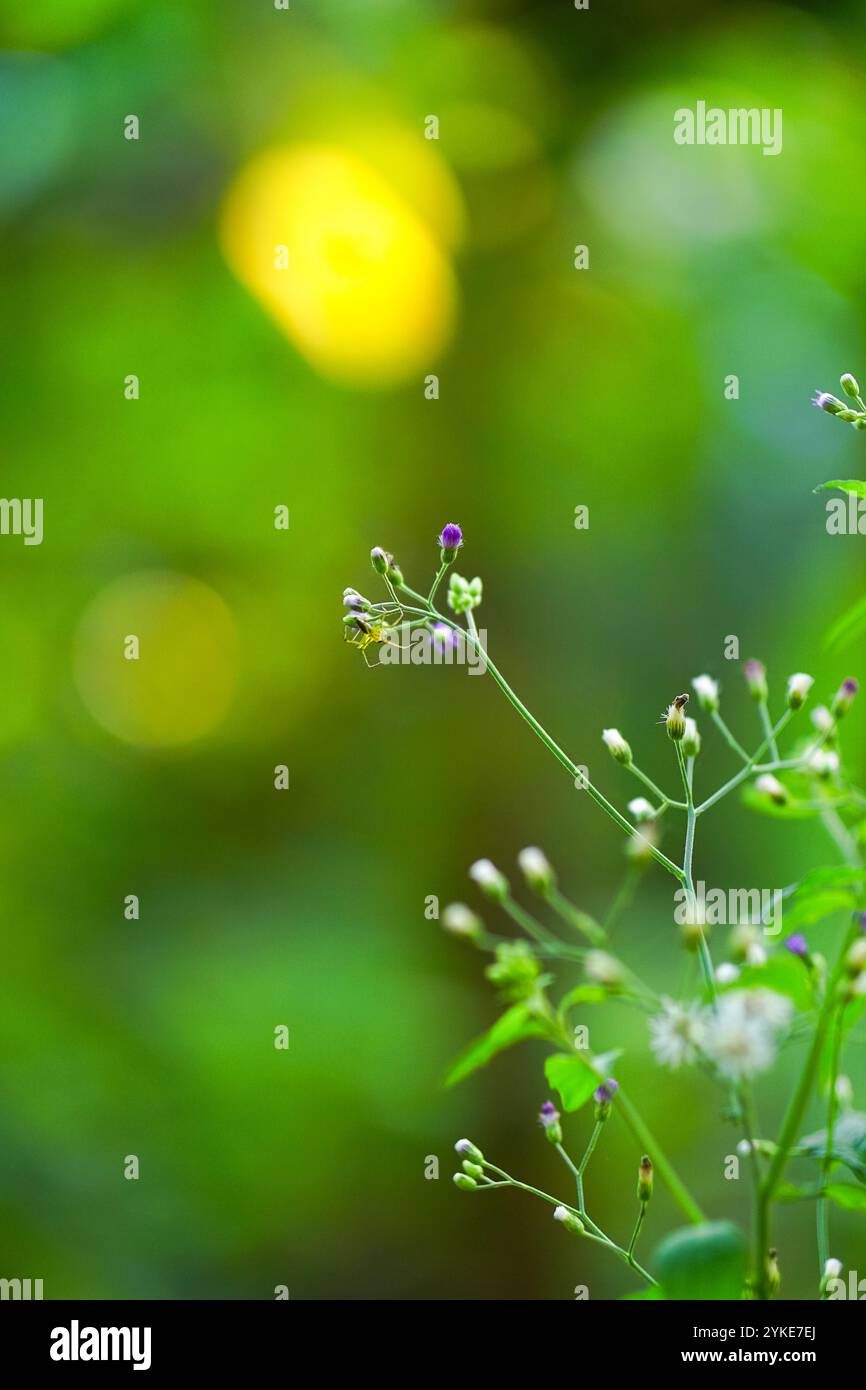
x: 707, y: 1261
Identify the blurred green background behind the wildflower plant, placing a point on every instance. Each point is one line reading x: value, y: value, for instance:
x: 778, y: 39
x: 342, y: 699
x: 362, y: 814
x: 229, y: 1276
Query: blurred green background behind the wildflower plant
x: 558, y: 387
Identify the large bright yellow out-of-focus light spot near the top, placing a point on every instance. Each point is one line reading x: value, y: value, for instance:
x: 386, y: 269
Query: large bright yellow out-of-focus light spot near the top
x: 344, y: 263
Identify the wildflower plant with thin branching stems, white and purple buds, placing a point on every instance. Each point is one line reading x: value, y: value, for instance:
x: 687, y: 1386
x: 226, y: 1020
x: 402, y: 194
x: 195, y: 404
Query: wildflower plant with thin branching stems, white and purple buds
x: 737, y: 1017
